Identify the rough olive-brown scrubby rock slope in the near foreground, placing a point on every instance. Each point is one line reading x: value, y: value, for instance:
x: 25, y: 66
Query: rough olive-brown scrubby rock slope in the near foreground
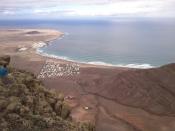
x: 26, y: 105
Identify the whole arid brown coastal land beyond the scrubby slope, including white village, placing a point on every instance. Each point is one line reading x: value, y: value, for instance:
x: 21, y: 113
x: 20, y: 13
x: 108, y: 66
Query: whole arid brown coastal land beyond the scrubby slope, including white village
x: 114, y: 98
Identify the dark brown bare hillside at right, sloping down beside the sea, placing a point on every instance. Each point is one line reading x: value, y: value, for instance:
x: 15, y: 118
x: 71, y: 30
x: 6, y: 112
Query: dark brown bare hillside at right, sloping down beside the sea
x: 150, y: 89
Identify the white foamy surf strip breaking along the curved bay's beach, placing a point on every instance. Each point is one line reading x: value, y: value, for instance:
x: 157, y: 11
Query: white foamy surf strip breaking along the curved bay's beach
x: 135, y: 65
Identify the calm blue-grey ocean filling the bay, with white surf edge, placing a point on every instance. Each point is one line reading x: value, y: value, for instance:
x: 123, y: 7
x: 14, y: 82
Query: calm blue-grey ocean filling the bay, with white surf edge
x: 142, y: 43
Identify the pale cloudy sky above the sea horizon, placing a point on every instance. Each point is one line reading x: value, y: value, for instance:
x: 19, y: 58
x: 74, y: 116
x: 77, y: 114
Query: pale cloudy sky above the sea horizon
x: 55, y: 9
